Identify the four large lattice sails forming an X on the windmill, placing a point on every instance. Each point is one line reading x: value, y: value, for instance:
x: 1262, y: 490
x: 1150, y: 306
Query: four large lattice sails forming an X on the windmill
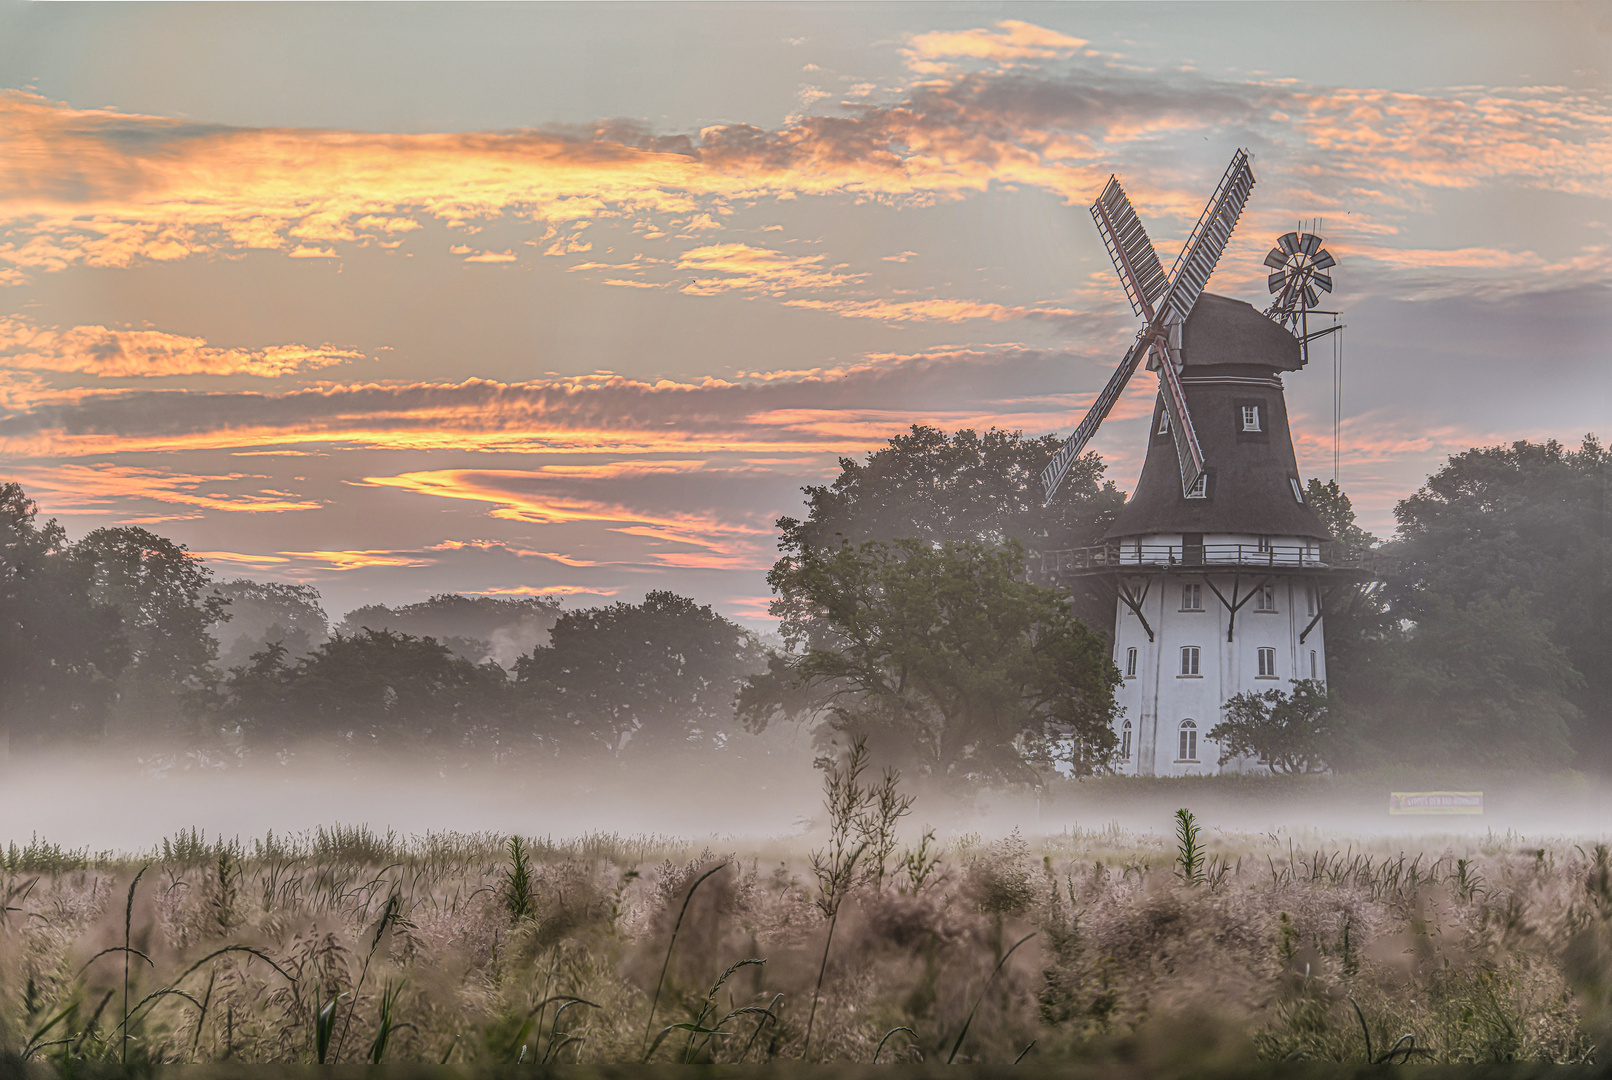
x: 1165, y: 302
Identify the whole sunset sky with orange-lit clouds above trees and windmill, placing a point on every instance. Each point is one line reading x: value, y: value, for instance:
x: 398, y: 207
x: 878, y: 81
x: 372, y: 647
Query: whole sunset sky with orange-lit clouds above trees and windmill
x: 573, y: 299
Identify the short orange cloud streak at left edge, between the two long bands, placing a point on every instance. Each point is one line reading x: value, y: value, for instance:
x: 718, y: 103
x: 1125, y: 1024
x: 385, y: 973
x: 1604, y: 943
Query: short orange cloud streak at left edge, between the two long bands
x: 104, y: 352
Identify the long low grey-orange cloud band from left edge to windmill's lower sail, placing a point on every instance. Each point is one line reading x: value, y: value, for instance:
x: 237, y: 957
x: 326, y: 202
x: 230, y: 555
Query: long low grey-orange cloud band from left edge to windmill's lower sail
x: 602, y: 415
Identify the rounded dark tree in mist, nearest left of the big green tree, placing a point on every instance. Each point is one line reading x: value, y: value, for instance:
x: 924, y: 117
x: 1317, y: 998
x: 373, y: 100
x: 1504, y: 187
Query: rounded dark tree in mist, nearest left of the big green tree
x: 641, y: 678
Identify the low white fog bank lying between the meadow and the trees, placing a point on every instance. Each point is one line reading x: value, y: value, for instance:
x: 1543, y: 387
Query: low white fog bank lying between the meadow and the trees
x: 130, y: 804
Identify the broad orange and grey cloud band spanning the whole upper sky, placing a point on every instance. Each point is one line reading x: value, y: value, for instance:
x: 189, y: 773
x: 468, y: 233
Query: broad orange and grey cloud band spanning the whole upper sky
x: 102, y: 188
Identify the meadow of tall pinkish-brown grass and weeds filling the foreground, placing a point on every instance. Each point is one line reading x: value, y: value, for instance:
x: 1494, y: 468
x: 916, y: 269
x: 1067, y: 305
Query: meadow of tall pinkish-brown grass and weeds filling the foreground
x: 1086, y: 945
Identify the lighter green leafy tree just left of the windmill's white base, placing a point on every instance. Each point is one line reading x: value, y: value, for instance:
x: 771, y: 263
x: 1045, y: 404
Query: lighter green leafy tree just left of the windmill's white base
x: 941, y: 655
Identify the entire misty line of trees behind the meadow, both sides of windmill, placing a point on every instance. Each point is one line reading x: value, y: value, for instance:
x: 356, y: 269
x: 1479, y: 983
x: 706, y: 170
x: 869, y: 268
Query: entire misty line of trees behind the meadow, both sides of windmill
x: 910, y: 615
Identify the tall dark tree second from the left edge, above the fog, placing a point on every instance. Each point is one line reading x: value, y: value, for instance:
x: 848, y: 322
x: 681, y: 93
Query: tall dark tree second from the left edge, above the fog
x: 165, y: 599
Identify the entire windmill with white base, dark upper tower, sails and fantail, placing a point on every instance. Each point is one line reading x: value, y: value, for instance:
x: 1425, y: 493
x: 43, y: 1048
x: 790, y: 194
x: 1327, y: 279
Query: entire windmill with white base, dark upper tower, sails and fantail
x: 1216, y: 555
